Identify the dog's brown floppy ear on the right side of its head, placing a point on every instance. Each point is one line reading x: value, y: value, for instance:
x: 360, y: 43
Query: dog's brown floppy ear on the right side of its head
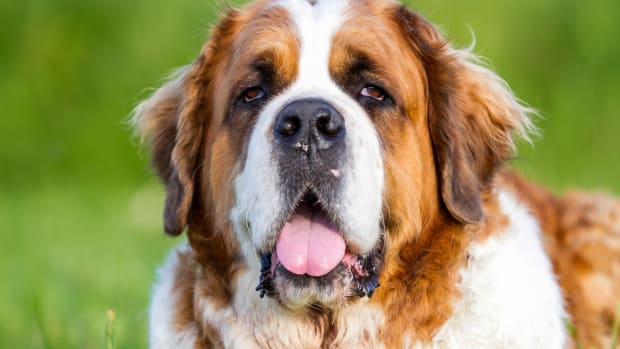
x: 472, y: 117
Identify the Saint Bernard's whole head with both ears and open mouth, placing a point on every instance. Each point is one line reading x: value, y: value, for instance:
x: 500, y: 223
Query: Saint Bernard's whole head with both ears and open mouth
x: 312, y: 139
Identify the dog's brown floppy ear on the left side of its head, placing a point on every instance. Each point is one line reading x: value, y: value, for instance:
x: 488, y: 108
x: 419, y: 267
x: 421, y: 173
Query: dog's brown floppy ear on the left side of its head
x: 175, y: 120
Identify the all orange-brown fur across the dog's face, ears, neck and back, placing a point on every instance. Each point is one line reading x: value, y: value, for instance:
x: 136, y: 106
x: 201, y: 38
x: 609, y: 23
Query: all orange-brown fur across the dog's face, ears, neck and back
x: 443, y: 149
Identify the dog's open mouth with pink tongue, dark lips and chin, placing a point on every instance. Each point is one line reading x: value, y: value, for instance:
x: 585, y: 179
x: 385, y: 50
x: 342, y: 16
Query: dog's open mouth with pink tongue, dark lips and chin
x: 311, y: 255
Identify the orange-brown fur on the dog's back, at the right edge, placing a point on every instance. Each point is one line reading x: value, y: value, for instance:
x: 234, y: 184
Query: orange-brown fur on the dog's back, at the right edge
x: 582, y: 237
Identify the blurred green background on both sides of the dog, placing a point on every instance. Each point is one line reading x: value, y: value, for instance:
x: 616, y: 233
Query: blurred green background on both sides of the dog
x: 79, y: 208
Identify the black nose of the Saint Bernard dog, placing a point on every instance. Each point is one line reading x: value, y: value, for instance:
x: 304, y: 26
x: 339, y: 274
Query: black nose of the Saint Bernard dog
x: 308, y: 123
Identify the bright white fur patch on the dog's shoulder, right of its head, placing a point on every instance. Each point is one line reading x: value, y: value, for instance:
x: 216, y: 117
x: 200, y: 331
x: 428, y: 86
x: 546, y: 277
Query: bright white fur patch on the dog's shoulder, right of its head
x: 510, y: 298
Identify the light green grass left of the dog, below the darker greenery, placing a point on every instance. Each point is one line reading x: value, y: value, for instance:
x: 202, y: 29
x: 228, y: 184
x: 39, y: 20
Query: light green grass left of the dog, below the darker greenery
x: 70, y: 255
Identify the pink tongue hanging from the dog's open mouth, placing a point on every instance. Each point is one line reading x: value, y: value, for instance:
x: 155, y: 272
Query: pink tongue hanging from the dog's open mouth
x: 310, y: 244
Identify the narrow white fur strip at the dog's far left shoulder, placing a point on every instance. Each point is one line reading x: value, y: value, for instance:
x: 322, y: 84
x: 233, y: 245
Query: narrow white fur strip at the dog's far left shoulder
x: 162, y: 331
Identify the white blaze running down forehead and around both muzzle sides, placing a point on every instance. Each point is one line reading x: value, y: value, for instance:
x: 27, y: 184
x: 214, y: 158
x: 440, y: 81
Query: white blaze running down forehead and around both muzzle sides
x: 258, y: 195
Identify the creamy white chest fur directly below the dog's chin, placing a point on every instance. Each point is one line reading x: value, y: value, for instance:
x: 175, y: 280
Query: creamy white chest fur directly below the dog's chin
x: 251, y: 322
